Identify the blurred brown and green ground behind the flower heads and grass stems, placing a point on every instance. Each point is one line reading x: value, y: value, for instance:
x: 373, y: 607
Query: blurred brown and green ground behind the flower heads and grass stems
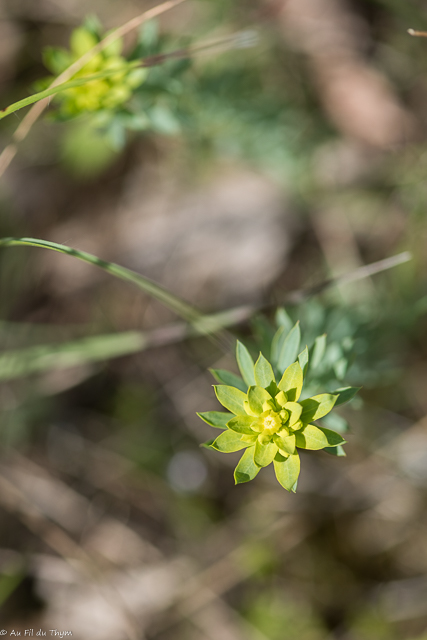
x: 241, y: 176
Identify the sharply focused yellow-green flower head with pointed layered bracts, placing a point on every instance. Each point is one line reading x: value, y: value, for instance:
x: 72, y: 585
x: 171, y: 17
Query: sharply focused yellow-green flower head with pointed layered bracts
x: 269, y: 420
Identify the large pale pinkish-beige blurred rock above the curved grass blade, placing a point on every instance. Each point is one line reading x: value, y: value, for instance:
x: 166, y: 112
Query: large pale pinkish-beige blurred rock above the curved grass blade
x: 220, y: 243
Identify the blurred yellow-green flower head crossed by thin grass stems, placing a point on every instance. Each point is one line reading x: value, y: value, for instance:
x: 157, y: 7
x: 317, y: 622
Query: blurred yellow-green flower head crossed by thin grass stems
x: 107, y: 92
